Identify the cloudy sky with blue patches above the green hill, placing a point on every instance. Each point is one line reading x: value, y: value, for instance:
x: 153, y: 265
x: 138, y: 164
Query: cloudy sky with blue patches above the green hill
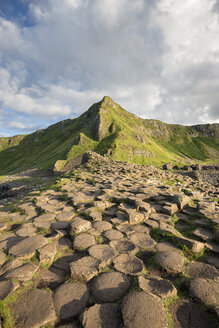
x: 157, y: 58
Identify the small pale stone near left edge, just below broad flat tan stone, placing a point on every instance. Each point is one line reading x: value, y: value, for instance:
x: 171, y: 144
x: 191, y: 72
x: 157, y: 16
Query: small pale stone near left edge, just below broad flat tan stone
x: 22, y: 273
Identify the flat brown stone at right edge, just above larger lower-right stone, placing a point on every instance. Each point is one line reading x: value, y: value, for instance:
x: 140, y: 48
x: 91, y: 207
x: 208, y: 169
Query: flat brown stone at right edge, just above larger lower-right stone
x: 201, y: 270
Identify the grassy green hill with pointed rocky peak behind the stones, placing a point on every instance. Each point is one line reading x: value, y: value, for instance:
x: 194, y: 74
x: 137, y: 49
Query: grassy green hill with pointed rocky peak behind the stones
x: 109, y: 130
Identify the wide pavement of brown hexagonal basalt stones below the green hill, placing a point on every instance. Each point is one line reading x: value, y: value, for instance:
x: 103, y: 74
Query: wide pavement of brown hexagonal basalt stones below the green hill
x: 65, y: 269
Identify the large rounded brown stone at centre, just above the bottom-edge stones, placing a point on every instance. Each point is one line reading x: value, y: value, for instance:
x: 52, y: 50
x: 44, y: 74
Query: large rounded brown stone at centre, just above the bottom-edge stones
x: 109, y: 287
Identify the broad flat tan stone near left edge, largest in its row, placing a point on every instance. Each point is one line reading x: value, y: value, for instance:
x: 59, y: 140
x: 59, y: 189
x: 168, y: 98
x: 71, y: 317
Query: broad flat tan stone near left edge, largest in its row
x: 28, y: 246
